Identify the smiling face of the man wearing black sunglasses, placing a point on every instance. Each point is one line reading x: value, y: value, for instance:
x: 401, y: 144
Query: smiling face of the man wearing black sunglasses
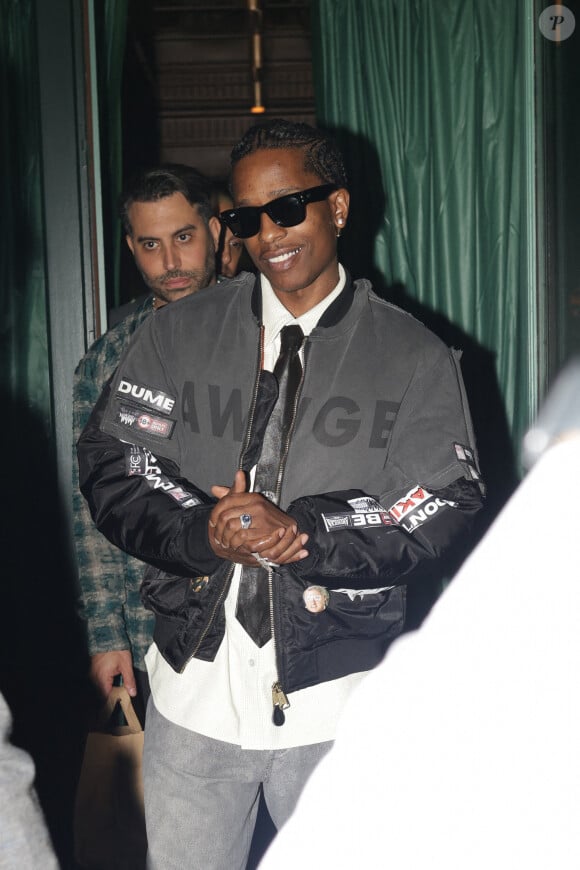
x: 300, y: 262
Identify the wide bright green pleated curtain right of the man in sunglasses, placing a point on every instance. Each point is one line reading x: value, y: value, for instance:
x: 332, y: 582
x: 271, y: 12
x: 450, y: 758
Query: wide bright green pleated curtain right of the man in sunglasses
x: 428, y: 100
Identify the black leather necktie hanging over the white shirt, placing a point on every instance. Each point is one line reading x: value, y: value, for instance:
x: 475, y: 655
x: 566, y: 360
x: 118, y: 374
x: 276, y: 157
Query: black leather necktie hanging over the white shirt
x: 253, y: 605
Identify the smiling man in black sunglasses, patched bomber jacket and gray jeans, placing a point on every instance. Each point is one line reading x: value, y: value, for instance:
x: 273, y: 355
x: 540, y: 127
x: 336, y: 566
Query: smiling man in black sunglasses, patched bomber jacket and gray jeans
x: 283, y: 489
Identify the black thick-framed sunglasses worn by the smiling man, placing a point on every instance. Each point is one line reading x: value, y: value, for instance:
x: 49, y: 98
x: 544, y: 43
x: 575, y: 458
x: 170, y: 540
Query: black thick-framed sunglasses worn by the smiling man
x: 286, y: 211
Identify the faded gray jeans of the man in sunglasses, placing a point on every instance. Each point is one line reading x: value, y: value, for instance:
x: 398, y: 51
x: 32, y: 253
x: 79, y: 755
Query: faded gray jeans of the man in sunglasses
x: 201, y: 795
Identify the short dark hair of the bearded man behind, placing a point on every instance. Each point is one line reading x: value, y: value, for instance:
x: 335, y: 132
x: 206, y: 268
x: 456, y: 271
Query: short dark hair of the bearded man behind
x: 150, y: 185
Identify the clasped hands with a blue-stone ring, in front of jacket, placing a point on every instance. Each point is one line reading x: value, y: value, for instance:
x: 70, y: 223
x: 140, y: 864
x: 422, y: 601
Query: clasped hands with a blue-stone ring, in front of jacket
x: 272, y: 534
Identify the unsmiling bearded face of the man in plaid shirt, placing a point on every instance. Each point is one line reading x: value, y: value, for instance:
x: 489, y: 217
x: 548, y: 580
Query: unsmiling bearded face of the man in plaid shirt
x: 173, y: 247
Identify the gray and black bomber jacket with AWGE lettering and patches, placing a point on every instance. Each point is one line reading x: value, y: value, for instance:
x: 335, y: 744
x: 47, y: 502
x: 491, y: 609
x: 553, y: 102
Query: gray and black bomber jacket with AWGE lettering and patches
x: 381, y: 471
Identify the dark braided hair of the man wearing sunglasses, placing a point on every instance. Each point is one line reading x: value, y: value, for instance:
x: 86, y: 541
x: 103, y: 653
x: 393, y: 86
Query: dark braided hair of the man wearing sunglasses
x: 321, y: 153
